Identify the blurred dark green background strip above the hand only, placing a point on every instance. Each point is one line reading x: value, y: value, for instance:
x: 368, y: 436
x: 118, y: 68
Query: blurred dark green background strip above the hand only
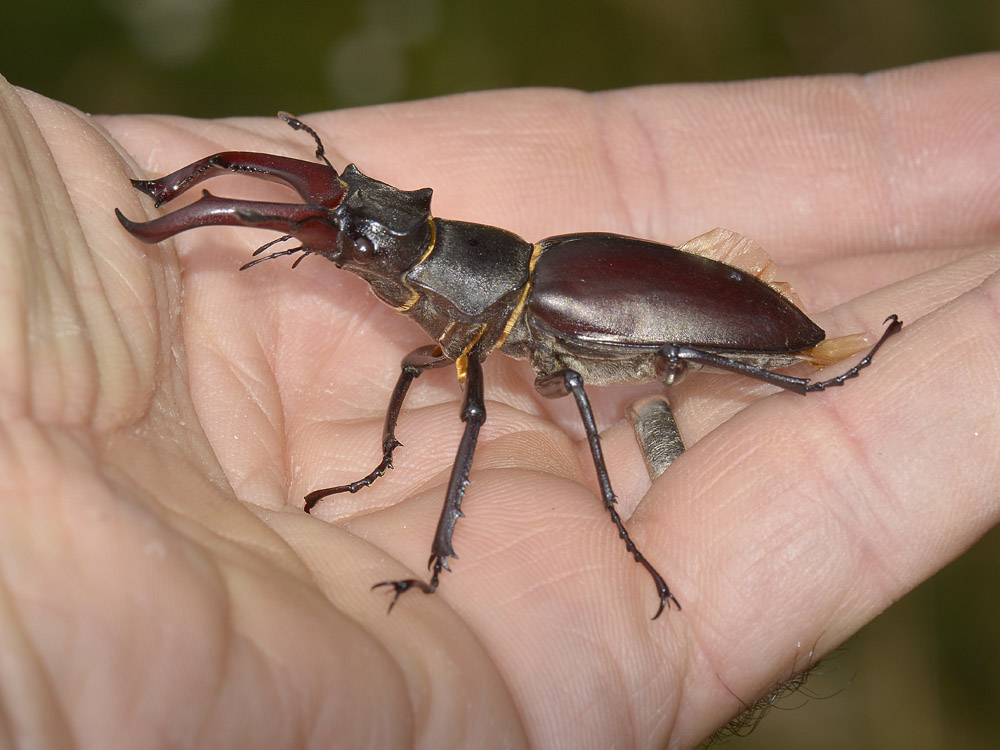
x: 214, y: 58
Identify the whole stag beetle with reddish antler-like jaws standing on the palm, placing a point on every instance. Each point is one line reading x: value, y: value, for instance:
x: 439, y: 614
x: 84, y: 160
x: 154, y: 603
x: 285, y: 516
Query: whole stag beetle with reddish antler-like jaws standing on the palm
x: 582, y: 308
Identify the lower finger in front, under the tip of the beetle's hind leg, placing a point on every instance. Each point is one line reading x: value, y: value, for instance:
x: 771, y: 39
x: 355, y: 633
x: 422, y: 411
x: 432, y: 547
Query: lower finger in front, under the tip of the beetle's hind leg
x: 818, y: 515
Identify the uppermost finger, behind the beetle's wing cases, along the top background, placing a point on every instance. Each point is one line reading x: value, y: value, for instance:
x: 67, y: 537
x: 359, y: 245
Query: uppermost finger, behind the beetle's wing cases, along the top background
x: 830, y: 163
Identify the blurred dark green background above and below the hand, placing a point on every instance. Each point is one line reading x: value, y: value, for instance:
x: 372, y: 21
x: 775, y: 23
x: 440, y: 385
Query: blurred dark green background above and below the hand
x: 924, y: 675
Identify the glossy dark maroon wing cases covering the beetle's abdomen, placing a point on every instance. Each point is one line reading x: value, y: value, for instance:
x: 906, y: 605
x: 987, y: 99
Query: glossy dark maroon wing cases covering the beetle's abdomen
x: 630, y: 292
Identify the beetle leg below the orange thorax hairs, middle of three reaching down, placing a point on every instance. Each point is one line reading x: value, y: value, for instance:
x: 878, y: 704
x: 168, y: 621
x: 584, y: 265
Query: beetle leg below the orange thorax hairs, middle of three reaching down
x: 474, y: 415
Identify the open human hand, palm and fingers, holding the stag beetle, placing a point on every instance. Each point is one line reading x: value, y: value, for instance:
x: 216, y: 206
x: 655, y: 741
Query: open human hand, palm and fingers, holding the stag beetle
x: 163, y: 415
